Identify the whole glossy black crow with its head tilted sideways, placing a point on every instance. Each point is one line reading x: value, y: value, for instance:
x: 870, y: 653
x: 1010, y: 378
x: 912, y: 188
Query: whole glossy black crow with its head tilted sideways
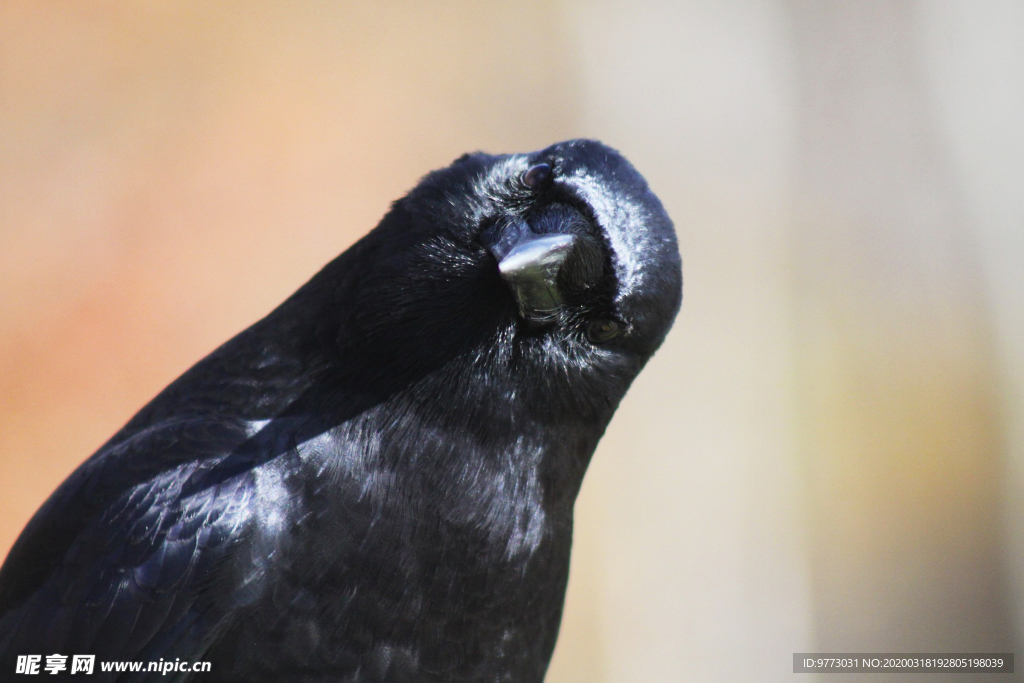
x: 376, y: 482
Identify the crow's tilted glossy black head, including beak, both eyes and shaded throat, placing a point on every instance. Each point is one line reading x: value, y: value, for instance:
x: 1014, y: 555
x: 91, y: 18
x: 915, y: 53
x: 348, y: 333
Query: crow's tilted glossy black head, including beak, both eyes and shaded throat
x: 564, y: 257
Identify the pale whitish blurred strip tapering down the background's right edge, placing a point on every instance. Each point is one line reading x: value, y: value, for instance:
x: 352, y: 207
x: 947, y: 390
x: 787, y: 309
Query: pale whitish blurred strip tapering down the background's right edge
x: 973, y: 54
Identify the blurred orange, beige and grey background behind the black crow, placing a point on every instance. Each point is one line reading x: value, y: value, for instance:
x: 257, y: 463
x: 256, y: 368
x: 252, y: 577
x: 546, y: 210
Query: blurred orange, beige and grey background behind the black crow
x: 827, y: 455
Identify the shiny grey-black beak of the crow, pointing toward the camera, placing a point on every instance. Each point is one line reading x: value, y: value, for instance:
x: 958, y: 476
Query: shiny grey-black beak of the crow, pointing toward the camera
x: 531, y: 270
